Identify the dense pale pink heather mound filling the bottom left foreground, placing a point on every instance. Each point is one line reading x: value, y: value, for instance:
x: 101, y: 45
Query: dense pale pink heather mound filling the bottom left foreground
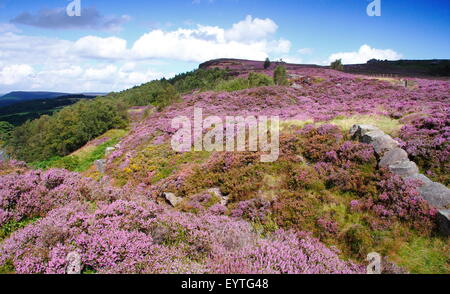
x: 142, y: 237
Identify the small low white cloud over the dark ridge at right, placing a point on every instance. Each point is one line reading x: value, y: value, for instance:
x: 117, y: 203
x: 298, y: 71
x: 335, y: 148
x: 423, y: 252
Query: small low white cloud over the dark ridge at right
x: 364, y: 54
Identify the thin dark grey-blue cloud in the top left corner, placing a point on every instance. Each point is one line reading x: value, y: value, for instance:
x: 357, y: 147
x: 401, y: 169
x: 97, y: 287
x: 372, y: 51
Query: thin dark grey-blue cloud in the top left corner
x: 58, y: 19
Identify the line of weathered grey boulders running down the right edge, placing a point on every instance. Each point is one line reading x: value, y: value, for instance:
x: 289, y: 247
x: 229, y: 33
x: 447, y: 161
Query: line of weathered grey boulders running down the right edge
x: 392, y: 157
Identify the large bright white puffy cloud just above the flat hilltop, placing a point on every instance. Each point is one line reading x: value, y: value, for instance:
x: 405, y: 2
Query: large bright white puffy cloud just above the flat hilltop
x: 246, y: 39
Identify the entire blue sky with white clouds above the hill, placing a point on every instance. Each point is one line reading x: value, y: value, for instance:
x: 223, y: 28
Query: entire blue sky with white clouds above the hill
x: 112, y: 45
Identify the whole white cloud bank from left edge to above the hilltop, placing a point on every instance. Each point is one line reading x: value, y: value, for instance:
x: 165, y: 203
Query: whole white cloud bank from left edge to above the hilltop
x: 94, y: 63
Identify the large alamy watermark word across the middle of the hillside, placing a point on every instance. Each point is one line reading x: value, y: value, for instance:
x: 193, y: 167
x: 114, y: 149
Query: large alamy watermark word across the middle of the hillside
x: 230, y: 134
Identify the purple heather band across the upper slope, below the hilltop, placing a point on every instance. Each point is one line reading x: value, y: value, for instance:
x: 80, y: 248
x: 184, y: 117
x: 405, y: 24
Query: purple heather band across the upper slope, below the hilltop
x: 336, y: 95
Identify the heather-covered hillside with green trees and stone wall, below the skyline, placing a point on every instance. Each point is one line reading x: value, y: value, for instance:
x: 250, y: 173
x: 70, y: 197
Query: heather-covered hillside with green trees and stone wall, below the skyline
x: 362, y: 167
